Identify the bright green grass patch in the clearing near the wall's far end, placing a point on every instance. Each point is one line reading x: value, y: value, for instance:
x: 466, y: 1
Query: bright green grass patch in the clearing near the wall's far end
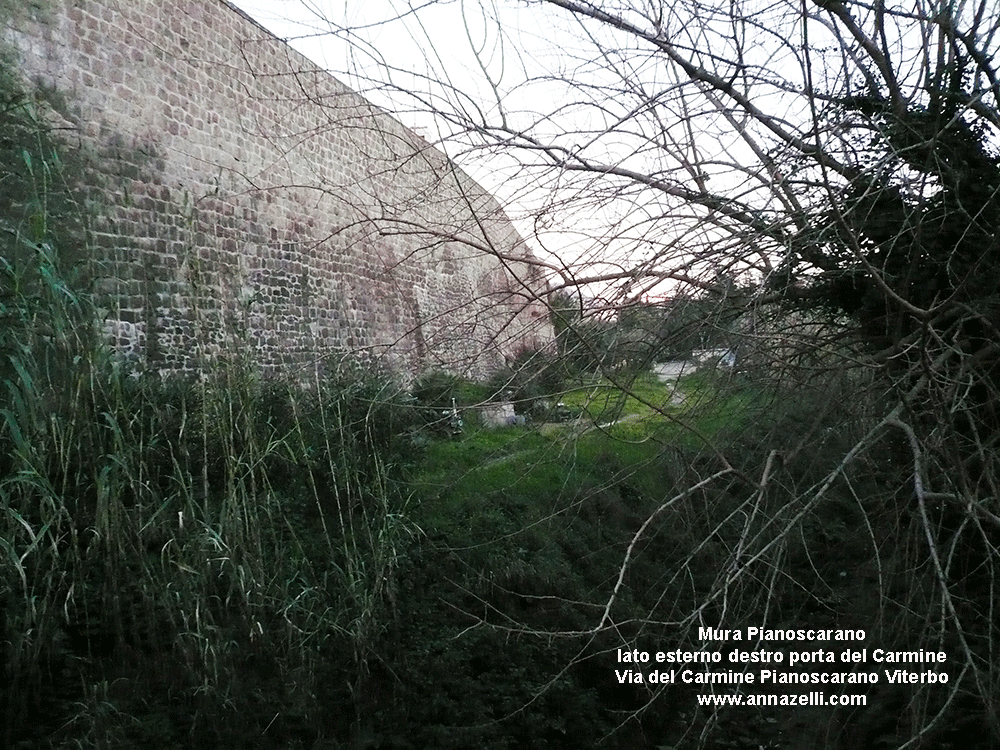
x: 544, y: 469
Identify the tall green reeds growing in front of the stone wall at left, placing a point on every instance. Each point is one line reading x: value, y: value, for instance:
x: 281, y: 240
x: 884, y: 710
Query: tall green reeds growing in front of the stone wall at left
x: 180, y: 561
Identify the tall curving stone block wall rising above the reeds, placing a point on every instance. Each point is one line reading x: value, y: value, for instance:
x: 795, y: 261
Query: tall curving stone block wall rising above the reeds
x: 252, y: 205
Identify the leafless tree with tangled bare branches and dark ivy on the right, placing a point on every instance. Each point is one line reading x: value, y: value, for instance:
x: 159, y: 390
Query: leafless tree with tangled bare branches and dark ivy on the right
x: 840, y: 159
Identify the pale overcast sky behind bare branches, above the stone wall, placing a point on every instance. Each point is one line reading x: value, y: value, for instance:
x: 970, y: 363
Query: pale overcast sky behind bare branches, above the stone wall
x: 581, y: 118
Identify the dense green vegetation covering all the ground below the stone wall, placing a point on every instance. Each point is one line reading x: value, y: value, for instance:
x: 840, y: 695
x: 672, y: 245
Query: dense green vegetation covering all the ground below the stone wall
x: 237, y: 562
